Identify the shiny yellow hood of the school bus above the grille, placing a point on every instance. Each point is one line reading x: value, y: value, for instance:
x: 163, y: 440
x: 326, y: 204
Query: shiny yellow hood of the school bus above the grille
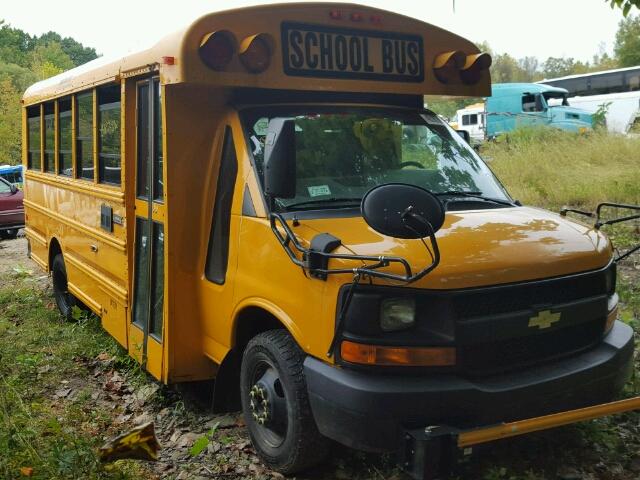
x: 481, y: 247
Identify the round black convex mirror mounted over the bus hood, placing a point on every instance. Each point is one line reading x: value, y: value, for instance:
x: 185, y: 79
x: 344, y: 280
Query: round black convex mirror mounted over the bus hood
x: 402, y: 211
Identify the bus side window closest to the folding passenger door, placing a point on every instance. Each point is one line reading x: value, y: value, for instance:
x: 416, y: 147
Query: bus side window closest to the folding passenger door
x: 109, y: 169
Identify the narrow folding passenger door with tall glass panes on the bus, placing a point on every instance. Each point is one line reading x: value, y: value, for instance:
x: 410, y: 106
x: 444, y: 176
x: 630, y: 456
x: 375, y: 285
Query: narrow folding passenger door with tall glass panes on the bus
x: 146, y: 332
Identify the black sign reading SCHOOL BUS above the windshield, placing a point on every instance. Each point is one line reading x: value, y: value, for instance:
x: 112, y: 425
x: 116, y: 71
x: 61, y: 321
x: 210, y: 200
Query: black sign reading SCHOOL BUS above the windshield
x: 350, y: 53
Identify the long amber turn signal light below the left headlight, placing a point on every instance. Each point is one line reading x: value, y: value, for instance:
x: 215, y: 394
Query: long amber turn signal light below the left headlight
x: 397, y: 356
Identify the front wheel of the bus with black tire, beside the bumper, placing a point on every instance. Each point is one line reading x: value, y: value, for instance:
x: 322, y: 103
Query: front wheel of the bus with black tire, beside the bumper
x: 288, y: 439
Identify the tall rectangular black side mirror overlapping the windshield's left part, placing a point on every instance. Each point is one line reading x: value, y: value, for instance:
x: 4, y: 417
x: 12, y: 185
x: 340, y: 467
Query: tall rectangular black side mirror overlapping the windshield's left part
x: 280, y: 159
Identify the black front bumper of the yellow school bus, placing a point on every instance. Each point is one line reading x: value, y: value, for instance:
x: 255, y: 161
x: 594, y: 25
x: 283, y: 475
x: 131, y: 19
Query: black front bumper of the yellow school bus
x: 368, y: 411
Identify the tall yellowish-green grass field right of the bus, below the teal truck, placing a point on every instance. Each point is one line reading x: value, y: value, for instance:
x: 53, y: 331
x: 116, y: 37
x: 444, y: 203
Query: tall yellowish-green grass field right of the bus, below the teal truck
x: 552, y: 168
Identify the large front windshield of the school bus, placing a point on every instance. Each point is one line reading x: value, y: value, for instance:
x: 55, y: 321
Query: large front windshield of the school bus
x: 343, y: 152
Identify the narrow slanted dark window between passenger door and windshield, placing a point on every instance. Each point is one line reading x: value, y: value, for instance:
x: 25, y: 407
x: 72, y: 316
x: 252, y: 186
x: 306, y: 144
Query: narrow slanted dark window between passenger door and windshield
x: 218, y: 251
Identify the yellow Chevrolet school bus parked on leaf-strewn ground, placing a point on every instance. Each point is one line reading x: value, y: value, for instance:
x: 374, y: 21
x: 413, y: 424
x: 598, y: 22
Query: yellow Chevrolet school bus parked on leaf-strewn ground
x: 261, y: 199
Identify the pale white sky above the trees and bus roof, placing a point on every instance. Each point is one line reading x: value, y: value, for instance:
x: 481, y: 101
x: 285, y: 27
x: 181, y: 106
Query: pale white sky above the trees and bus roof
x: 540, y: 28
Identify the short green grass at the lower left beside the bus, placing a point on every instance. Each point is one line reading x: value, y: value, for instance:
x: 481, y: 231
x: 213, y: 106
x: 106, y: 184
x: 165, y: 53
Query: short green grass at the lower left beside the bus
x: 40, y: 356
